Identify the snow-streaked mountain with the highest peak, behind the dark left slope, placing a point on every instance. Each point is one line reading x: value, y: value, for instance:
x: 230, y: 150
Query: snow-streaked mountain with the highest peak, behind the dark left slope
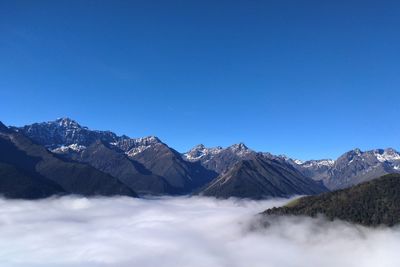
x: 146, y: 164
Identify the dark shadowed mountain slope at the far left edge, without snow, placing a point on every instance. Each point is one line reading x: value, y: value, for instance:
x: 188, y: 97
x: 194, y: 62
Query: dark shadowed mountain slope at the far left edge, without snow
x: 31, y: 171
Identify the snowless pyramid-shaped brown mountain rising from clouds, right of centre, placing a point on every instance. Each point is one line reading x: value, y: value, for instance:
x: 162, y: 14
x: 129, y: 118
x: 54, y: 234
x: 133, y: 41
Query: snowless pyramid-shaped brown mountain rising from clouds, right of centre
x: 261, y: 177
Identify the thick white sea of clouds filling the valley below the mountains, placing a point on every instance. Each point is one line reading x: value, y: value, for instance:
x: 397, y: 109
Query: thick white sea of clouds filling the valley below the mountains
x: 181, y: 232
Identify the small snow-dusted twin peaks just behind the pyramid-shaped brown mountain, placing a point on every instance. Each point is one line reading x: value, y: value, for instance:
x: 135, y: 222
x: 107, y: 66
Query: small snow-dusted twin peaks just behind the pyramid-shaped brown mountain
x: 219, y: 159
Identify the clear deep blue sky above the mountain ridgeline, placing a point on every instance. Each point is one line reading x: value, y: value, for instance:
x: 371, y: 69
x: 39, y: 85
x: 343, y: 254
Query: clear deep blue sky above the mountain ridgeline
x: 310, y: 79
